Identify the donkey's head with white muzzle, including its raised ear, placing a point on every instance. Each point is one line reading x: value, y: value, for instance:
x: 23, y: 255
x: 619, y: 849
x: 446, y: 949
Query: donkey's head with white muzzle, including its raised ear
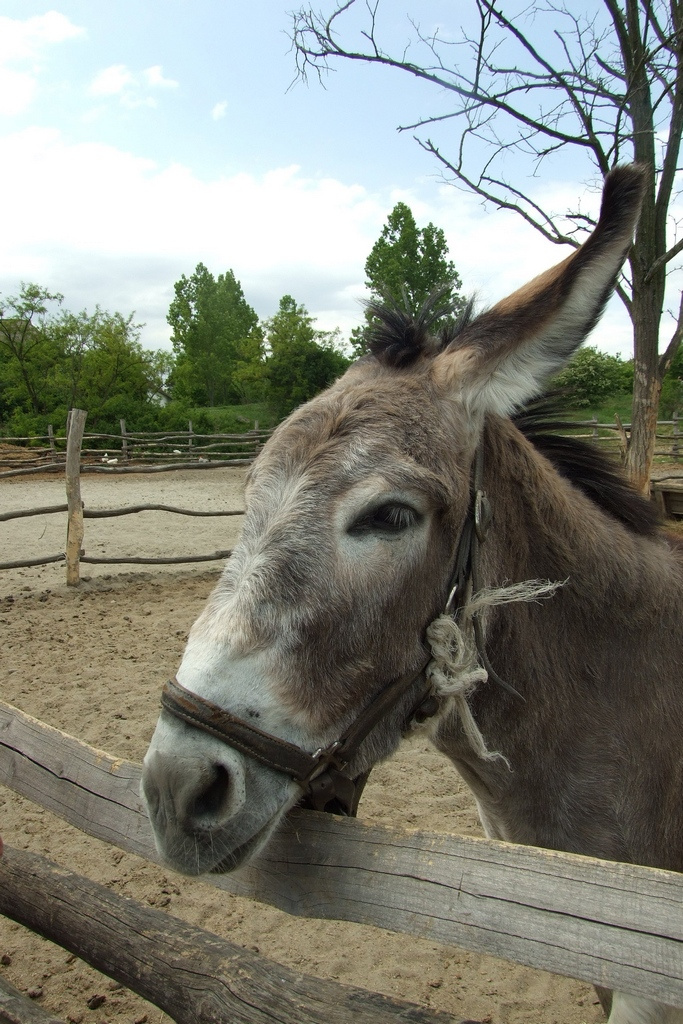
x: 355, y: 510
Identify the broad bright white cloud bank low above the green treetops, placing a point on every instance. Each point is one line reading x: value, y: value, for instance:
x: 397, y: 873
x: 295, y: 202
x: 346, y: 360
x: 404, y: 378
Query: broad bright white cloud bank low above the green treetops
x: 117, y: 230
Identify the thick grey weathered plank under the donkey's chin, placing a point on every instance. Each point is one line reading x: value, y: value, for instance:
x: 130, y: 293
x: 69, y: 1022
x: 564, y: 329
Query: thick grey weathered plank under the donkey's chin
x: 619, y: 926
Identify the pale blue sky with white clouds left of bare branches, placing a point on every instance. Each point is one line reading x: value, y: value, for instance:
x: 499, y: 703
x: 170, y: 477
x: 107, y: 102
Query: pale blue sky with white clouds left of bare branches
x: 140, y: 138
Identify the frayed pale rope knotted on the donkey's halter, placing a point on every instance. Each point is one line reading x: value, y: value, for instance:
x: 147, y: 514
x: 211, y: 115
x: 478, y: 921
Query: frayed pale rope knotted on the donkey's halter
x: 455, y: 670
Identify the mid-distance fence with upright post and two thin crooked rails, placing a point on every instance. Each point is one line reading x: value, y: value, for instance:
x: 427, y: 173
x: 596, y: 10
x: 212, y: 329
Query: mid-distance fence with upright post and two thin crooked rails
x: 74, y: 554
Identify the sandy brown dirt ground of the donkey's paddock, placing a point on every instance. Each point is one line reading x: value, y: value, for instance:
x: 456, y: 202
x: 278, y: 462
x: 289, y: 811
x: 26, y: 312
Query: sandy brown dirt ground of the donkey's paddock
x: 93, y: 661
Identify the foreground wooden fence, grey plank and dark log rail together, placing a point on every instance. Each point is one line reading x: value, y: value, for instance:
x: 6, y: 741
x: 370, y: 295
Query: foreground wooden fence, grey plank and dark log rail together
x: 618, y: 926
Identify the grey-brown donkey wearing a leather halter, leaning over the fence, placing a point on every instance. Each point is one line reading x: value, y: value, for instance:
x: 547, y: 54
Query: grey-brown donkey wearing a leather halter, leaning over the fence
x: 397, y: 528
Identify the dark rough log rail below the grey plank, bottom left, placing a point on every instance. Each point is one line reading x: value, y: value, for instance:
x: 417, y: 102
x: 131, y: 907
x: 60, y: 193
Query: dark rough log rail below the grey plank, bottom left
x: 194, y: 976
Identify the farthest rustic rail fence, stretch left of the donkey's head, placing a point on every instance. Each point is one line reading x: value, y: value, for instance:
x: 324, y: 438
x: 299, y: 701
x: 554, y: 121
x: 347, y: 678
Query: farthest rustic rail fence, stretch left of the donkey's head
x: 132, y: 452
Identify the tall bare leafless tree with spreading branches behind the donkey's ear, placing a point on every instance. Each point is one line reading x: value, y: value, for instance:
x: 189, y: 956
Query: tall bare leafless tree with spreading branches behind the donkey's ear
x: 543, y: 81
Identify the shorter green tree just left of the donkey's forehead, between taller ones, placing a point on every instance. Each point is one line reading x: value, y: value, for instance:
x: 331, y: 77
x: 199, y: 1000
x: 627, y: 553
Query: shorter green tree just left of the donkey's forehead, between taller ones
x: 302, y: 360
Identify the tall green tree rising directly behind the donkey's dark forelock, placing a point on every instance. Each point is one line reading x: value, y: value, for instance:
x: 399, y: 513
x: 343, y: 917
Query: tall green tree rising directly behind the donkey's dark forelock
x: 405, y: 267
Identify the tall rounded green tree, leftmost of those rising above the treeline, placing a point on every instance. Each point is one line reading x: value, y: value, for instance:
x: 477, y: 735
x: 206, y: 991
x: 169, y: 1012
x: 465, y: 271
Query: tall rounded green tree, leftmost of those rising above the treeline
x: 211, y: 322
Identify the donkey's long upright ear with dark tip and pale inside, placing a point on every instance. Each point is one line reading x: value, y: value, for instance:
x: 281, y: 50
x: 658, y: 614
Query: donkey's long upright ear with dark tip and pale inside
x: 507, y: 355
